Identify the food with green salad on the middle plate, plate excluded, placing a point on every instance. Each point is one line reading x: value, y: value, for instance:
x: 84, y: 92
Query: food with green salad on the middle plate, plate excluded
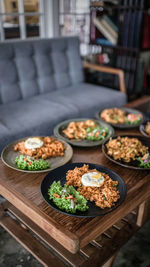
x: 88, y: 129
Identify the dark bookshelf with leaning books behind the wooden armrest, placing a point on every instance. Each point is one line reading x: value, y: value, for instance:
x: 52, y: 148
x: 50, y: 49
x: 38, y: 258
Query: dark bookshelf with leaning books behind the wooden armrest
x: 122, y: 29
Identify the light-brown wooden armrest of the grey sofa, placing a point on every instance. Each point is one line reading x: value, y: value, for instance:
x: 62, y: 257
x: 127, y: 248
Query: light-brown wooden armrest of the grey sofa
x: 118, y: 72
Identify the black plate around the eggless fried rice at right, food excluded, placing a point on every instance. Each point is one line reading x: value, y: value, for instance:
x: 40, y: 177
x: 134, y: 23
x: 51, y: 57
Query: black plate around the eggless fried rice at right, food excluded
x: 134, y: 164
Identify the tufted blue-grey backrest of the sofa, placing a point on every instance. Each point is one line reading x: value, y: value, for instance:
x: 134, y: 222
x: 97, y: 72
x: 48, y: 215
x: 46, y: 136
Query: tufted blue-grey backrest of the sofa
x: 32, y: 67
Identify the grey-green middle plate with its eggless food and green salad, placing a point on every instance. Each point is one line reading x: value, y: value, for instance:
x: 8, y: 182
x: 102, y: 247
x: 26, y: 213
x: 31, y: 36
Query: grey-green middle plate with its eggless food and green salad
x: 84, y: 132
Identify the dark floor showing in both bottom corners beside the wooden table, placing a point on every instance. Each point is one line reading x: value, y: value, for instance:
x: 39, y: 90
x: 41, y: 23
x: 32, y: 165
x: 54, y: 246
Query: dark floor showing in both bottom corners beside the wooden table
x: 136, y: 253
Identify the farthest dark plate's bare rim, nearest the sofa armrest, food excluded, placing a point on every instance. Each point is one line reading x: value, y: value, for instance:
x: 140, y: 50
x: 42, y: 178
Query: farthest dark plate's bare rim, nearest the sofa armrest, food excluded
x: 124, y: 125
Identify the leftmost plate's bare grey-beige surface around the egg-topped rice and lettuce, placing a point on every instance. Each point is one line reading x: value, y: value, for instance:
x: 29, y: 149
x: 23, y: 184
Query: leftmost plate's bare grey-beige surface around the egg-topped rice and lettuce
x: 9, y: 155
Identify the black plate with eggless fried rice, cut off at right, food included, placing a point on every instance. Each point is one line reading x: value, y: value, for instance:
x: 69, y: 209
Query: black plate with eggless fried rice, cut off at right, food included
x: 128, y: 151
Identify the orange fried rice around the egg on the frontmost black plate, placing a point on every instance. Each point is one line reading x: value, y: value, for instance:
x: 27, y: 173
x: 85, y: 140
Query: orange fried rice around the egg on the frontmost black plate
x: 104, y: 196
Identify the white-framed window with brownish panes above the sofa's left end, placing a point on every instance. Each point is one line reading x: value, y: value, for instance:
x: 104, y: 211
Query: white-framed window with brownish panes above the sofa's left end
x: 21, y: 19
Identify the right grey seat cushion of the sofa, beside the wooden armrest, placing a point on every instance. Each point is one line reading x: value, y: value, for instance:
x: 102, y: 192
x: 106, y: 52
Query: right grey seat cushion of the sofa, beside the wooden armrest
x: 87, y: 98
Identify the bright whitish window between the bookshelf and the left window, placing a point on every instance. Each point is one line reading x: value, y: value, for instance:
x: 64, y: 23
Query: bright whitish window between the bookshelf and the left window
x: 74, y: 19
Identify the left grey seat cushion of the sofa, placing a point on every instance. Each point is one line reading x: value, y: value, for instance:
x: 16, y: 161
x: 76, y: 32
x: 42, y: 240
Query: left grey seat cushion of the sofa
x: 31, y: 117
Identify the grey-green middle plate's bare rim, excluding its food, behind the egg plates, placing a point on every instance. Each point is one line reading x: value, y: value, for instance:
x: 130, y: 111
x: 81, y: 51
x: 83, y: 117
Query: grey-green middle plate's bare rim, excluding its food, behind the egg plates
x: 82, y: 143
